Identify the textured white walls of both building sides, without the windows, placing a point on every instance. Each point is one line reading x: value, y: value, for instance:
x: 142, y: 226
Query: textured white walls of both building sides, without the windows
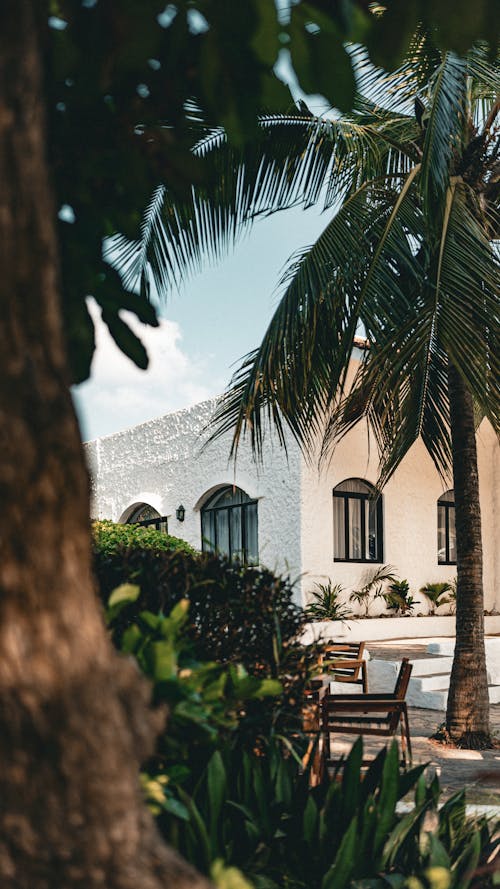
x: 161, y: 463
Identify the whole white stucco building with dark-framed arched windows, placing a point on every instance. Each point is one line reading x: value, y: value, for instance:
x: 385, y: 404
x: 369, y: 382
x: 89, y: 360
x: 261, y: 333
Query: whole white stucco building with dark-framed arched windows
x: 285, y: 514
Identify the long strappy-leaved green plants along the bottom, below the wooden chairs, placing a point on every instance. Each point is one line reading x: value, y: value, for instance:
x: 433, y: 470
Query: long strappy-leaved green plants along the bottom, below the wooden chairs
x: 258, y: 813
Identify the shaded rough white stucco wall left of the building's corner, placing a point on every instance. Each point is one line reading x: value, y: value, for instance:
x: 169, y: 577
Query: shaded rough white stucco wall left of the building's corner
x: 162, y: 463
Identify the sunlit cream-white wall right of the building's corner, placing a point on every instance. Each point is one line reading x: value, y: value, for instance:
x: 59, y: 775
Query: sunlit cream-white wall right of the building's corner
x: 409, y: 517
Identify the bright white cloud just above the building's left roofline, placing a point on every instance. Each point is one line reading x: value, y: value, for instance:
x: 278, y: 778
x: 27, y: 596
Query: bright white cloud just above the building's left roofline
x: 118, y: 394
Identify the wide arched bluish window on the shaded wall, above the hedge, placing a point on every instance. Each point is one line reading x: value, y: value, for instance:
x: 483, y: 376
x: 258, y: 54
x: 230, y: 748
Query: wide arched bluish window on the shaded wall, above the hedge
x: 229, y: 525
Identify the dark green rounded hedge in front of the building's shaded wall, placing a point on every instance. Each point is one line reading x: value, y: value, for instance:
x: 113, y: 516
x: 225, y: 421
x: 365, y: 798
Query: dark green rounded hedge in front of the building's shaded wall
x: 237, y: 613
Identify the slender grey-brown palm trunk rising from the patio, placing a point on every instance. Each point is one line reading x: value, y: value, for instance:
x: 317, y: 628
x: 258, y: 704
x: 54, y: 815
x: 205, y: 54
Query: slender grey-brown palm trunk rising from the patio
x: 467, y: 717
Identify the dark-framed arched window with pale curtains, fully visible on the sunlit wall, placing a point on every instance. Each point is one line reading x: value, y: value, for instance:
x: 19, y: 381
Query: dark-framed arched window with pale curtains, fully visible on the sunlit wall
x: 357, y: 522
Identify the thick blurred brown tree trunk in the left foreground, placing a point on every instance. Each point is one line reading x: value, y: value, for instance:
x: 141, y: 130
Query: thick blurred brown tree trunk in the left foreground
x: 74, y: 717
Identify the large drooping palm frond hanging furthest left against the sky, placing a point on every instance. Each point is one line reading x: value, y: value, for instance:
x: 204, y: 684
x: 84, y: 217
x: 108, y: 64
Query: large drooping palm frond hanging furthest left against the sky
x: 301, y: 366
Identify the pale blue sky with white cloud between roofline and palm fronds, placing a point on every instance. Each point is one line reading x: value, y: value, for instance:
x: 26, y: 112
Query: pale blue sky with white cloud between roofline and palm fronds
x: 220, y: 315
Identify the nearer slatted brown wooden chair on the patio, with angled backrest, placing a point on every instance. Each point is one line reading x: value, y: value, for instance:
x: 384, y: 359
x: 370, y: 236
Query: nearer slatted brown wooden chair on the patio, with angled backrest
x: 369, y: 714
